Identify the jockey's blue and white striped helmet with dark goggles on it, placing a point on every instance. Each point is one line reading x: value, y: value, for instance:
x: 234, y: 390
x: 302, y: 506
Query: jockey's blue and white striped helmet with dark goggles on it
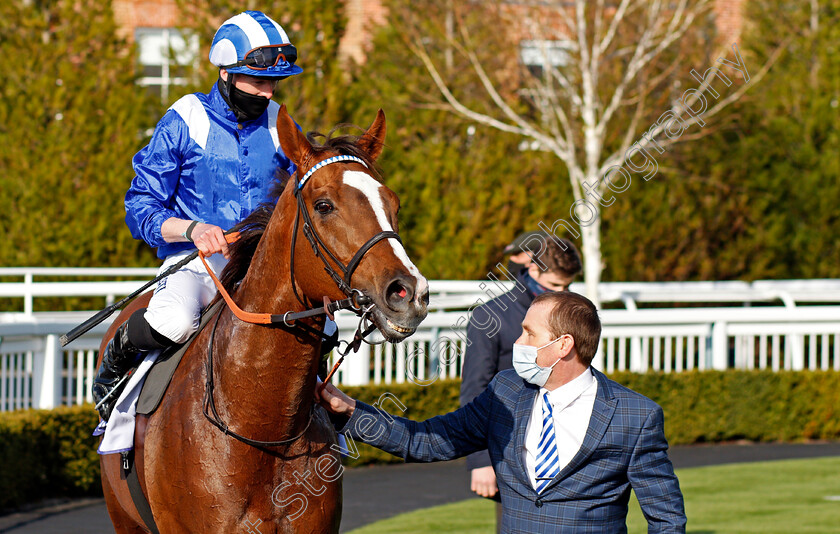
x: 251, y: 43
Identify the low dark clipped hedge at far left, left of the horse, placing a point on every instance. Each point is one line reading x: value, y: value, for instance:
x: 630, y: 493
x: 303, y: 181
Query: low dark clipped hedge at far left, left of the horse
x: 48, y: 453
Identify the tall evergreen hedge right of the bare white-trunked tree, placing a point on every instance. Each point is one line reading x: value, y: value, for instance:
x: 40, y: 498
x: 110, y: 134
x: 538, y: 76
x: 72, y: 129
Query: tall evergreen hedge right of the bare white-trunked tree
x: 757, y: 198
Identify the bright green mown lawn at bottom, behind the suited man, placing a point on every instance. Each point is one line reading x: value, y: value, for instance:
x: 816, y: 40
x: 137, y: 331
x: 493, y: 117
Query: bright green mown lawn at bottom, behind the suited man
x: 782, y: 497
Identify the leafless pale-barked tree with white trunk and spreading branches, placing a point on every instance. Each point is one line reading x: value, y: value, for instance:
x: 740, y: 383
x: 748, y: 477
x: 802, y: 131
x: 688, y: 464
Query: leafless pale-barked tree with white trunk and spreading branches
x: 580, y: 103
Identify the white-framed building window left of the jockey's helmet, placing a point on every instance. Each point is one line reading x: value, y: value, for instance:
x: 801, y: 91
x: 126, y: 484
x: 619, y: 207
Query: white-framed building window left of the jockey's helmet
x: 165, y: 57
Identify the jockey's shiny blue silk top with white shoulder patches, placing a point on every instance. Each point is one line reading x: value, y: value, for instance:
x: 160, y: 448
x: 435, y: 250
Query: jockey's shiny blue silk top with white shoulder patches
x: 200, y: 166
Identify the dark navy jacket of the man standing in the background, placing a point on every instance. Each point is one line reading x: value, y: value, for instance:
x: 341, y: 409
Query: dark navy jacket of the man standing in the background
x: 492, y: 329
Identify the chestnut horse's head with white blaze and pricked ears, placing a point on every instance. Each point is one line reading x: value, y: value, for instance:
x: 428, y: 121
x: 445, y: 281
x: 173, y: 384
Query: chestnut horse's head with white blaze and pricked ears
x: 353, y: 219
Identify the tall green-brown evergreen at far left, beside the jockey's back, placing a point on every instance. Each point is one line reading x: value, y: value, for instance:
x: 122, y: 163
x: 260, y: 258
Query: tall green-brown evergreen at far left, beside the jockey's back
x: 71, y: 118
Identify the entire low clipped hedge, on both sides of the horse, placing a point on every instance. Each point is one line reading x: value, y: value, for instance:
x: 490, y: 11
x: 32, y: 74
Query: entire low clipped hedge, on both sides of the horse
x: 50, y: 453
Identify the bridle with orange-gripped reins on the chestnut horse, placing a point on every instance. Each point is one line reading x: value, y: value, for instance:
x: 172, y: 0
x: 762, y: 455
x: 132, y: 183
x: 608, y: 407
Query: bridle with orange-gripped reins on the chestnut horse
x: 356, y: 301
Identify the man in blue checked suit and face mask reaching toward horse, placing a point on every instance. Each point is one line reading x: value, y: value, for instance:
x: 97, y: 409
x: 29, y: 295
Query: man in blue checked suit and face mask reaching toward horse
x: 567, y: 443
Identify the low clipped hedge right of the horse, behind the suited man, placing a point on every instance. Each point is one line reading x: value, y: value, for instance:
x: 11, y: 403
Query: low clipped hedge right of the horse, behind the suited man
x: 708, y: 406
